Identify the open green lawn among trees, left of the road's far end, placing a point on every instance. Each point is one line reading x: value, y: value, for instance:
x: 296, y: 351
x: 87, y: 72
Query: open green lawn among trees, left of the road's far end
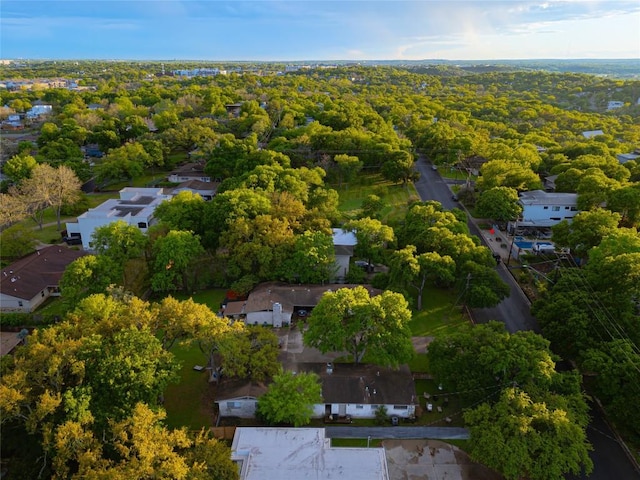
x: 395, y: 196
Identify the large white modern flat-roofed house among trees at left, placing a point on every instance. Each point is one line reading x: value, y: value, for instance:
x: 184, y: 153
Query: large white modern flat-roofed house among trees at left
x: 135, y: 206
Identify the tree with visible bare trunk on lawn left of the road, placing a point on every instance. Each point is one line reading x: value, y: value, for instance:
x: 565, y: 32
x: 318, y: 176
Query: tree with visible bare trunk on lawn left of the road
x: 417, y: 270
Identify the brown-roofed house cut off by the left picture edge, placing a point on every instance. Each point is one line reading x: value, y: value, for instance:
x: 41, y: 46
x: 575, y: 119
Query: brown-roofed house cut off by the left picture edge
x: 29, y: 281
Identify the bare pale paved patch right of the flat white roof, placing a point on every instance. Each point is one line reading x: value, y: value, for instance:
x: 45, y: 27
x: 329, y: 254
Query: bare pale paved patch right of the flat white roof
x: 432, y: 460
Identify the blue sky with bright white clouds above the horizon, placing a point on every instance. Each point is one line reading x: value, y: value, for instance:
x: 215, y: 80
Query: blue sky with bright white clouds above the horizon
x: 269, y: 30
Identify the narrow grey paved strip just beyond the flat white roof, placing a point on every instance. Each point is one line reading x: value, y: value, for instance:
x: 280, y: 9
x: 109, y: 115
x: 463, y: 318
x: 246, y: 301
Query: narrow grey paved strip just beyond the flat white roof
x: 442, y: 433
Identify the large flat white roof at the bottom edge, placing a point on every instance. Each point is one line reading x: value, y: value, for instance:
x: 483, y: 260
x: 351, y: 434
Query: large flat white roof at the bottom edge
x: 276, y: 453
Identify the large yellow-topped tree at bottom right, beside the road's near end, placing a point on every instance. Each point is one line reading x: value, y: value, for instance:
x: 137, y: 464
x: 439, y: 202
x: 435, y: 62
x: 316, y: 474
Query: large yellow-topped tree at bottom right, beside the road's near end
x: 524, y: 438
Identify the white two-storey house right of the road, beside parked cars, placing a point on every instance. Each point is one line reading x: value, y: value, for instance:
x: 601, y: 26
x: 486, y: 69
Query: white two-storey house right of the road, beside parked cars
x: 545, y: 209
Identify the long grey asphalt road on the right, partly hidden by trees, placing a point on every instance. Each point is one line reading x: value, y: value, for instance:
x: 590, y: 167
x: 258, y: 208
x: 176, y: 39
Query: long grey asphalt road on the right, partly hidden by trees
x: 610, y: 461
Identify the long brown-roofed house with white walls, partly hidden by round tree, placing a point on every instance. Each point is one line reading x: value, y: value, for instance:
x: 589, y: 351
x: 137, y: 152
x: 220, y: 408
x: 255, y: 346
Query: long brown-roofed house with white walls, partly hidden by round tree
x: 348, y: 391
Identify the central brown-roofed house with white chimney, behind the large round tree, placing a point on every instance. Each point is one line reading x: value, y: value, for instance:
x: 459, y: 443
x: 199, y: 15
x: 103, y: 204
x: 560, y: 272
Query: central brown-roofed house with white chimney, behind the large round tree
x: 275, y: 303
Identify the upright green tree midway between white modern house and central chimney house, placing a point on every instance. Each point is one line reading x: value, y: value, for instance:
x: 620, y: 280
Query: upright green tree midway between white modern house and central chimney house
x: 173, y: 258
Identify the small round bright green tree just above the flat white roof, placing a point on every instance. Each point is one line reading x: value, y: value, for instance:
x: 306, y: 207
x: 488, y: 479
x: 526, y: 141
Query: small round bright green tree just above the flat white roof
x: 290, y: 398
